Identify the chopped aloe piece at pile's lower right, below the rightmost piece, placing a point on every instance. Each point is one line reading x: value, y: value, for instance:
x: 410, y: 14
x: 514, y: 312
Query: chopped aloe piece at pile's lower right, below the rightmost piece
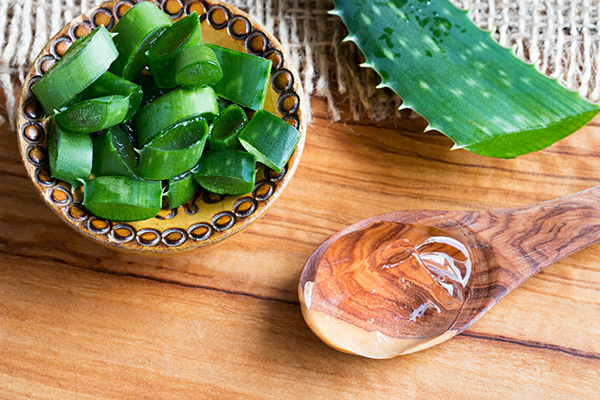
x: 227, y: 172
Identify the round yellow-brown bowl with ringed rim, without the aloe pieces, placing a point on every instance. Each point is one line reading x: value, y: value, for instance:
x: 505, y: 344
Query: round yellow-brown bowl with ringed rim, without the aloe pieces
x: 207, y: 218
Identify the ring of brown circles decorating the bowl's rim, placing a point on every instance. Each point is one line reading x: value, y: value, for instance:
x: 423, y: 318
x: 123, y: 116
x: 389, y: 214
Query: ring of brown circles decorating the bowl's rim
x: 33, y: 134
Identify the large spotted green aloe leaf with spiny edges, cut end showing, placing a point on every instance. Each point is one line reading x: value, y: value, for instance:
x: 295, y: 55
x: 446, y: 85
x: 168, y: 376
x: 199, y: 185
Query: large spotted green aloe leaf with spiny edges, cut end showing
x: 459, y: 79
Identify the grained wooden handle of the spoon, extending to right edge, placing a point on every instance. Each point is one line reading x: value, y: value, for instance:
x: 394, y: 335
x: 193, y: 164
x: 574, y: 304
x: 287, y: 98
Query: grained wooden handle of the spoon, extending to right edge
x: 528, y: 239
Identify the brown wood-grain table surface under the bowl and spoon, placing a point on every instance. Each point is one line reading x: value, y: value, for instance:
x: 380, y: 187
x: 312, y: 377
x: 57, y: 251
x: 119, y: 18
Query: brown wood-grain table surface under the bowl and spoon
x: 78, y: 321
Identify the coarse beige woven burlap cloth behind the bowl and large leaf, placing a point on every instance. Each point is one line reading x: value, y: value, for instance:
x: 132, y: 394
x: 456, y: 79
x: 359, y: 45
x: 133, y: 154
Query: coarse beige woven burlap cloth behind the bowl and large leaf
x: 563, y: 35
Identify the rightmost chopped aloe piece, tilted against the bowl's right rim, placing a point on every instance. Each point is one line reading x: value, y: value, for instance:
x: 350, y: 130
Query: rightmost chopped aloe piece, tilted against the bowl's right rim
x: 270, y: 139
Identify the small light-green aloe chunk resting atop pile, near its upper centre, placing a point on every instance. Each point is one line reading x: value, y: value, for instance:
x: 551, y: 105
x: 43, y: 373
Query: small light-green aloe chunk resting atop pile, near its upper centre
x: 197, y: 66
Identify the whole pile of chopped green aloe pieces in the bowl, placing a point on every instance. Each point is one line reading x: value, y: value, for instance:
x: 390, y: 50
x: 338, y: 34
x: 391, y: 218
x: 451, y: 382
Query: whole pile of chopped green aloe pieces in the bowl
x: 124, y: 140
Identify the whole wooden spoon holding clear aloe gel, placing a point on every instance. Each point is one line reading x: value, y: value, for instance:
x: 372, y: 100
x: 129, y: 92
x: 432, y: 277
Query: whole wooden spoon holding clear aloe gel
x: 404, y: 281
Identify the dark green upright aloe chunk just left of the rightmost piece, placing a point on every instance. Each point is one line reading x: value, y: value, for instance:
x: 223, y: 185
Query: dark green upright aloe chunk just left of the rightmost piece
x: 226, y: 128
